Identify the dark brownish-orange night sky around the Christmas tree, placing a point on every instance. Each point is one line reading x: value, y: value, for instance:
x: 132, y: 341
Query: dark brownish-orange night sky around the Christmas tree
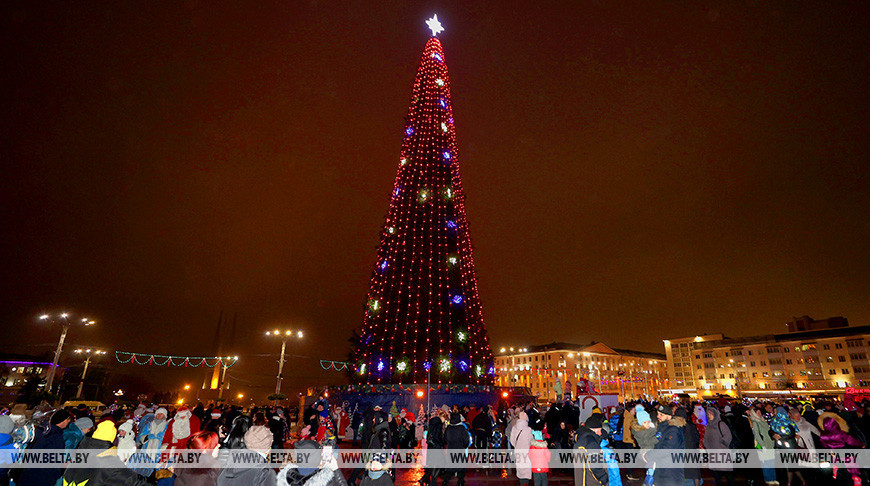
x: 633, y: 172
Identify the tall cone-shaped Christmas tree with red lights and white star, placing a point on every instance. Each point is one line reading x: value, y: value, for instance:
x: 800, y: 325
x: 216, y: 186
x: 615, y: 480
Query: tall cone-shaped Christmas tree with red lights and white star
x: 423, y: 309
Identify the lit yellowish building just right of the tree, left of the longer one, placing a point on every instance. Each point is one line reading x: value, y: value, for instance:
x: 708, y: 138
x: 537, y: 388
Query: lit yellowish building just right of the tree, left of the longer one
x: 626, y: 372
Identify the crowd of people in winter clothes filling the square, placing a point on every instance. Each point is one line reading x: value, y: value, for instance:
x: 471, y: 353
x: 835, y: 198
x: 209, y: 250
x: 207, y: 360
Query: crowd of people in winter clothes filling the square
x: 532, y: 431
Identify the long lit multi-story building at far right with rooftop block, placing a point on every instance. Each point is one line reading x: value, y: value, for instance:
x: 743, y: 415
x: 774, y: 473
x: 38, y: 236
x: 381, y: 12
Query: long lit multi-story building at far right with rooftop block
x: 817, y: 357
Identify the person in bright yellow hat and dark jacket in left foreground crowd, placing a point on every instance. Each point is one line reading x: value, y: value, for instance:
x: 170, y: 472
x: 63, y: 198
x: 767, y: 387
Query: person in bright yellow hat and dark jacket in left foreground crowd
x: 108, y: 468
